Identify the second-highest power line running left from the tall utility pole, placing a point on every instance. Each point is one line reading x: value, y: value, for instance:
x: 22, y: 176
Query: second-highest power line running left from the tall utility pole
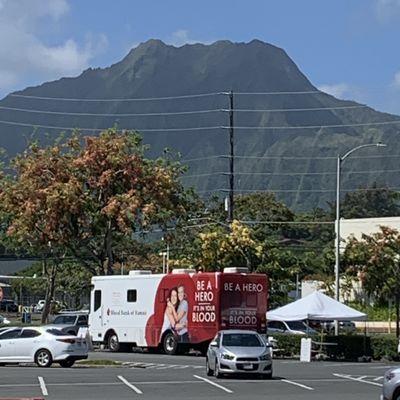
x: 110, y: 115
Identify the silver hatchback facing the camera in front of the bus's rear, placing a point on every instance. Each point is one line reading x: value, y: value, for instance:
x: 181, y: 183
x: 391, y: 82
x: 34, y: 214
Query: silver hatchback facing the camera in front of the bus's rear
x: 237, y: 351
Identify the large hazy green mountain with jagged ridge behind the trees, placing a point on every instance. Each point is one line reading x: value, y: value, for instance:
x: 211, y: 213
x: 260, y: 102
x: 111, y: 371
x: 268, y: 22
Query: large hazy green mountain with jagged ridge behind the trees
x: 298, y: 163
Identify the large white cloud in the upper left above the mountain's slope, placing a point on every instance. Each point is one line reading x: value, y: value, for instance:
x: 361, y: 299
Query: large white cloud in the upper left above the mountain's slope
x: 23, y: 53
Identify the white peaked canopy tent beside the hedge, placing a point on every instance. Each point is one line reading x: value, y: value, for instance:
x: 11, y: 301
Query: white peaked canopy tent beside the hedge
x: 316, y: 306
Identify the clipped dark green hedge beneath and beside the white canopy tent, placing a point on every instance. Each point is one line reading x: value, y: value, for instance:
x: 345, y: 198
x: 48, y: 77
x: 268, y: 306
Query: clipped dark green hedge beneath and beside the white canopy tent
x: 349, y: 347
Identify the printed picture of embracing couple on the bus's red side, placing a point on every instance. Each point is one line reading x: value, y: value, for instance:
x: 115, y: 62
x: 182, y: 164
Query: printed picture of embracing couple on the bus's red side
x: 176, y: 314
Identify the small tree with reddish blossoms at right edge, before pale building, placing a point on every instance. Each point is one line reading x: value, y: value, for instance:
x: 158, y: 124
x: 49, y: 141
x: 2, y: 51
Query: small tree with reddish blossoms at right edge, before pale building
x: 375, y: 259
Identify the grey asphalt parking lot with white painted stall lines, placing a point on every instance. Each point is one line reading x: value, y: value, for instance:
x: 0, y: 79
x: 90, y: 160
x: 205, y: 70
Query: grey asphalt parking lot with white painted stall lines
x: 157, y: 376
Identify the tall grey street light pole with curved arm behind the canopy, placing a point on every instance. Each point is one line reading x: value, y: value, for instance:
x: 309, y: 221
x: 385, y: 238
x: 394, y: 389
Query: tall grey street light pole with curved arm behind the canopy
x: 340, y: 159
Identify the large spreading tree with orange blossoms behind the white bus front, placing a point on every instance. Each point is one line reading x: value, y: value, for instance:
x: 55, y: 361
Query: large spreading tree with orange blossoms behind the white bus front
x: 86, y: 197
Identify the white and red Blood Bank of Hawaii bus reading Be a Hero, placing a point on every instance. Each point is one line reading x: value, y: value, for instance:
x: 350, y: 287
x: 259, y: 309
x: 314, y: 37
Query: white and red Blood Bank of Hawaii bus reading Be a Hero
x: 175, y: 311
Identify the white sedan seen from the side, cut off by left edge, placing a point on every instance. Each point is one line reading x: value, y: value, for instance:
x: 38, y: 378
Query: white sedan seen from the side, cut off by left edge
x: 40, y: 345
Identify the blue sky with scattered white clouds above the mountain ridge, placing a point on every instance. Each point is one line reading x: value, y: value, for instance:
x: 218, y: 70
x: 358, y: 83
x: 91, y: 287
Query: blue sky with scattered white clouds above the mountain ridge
x: 347, y: 47
